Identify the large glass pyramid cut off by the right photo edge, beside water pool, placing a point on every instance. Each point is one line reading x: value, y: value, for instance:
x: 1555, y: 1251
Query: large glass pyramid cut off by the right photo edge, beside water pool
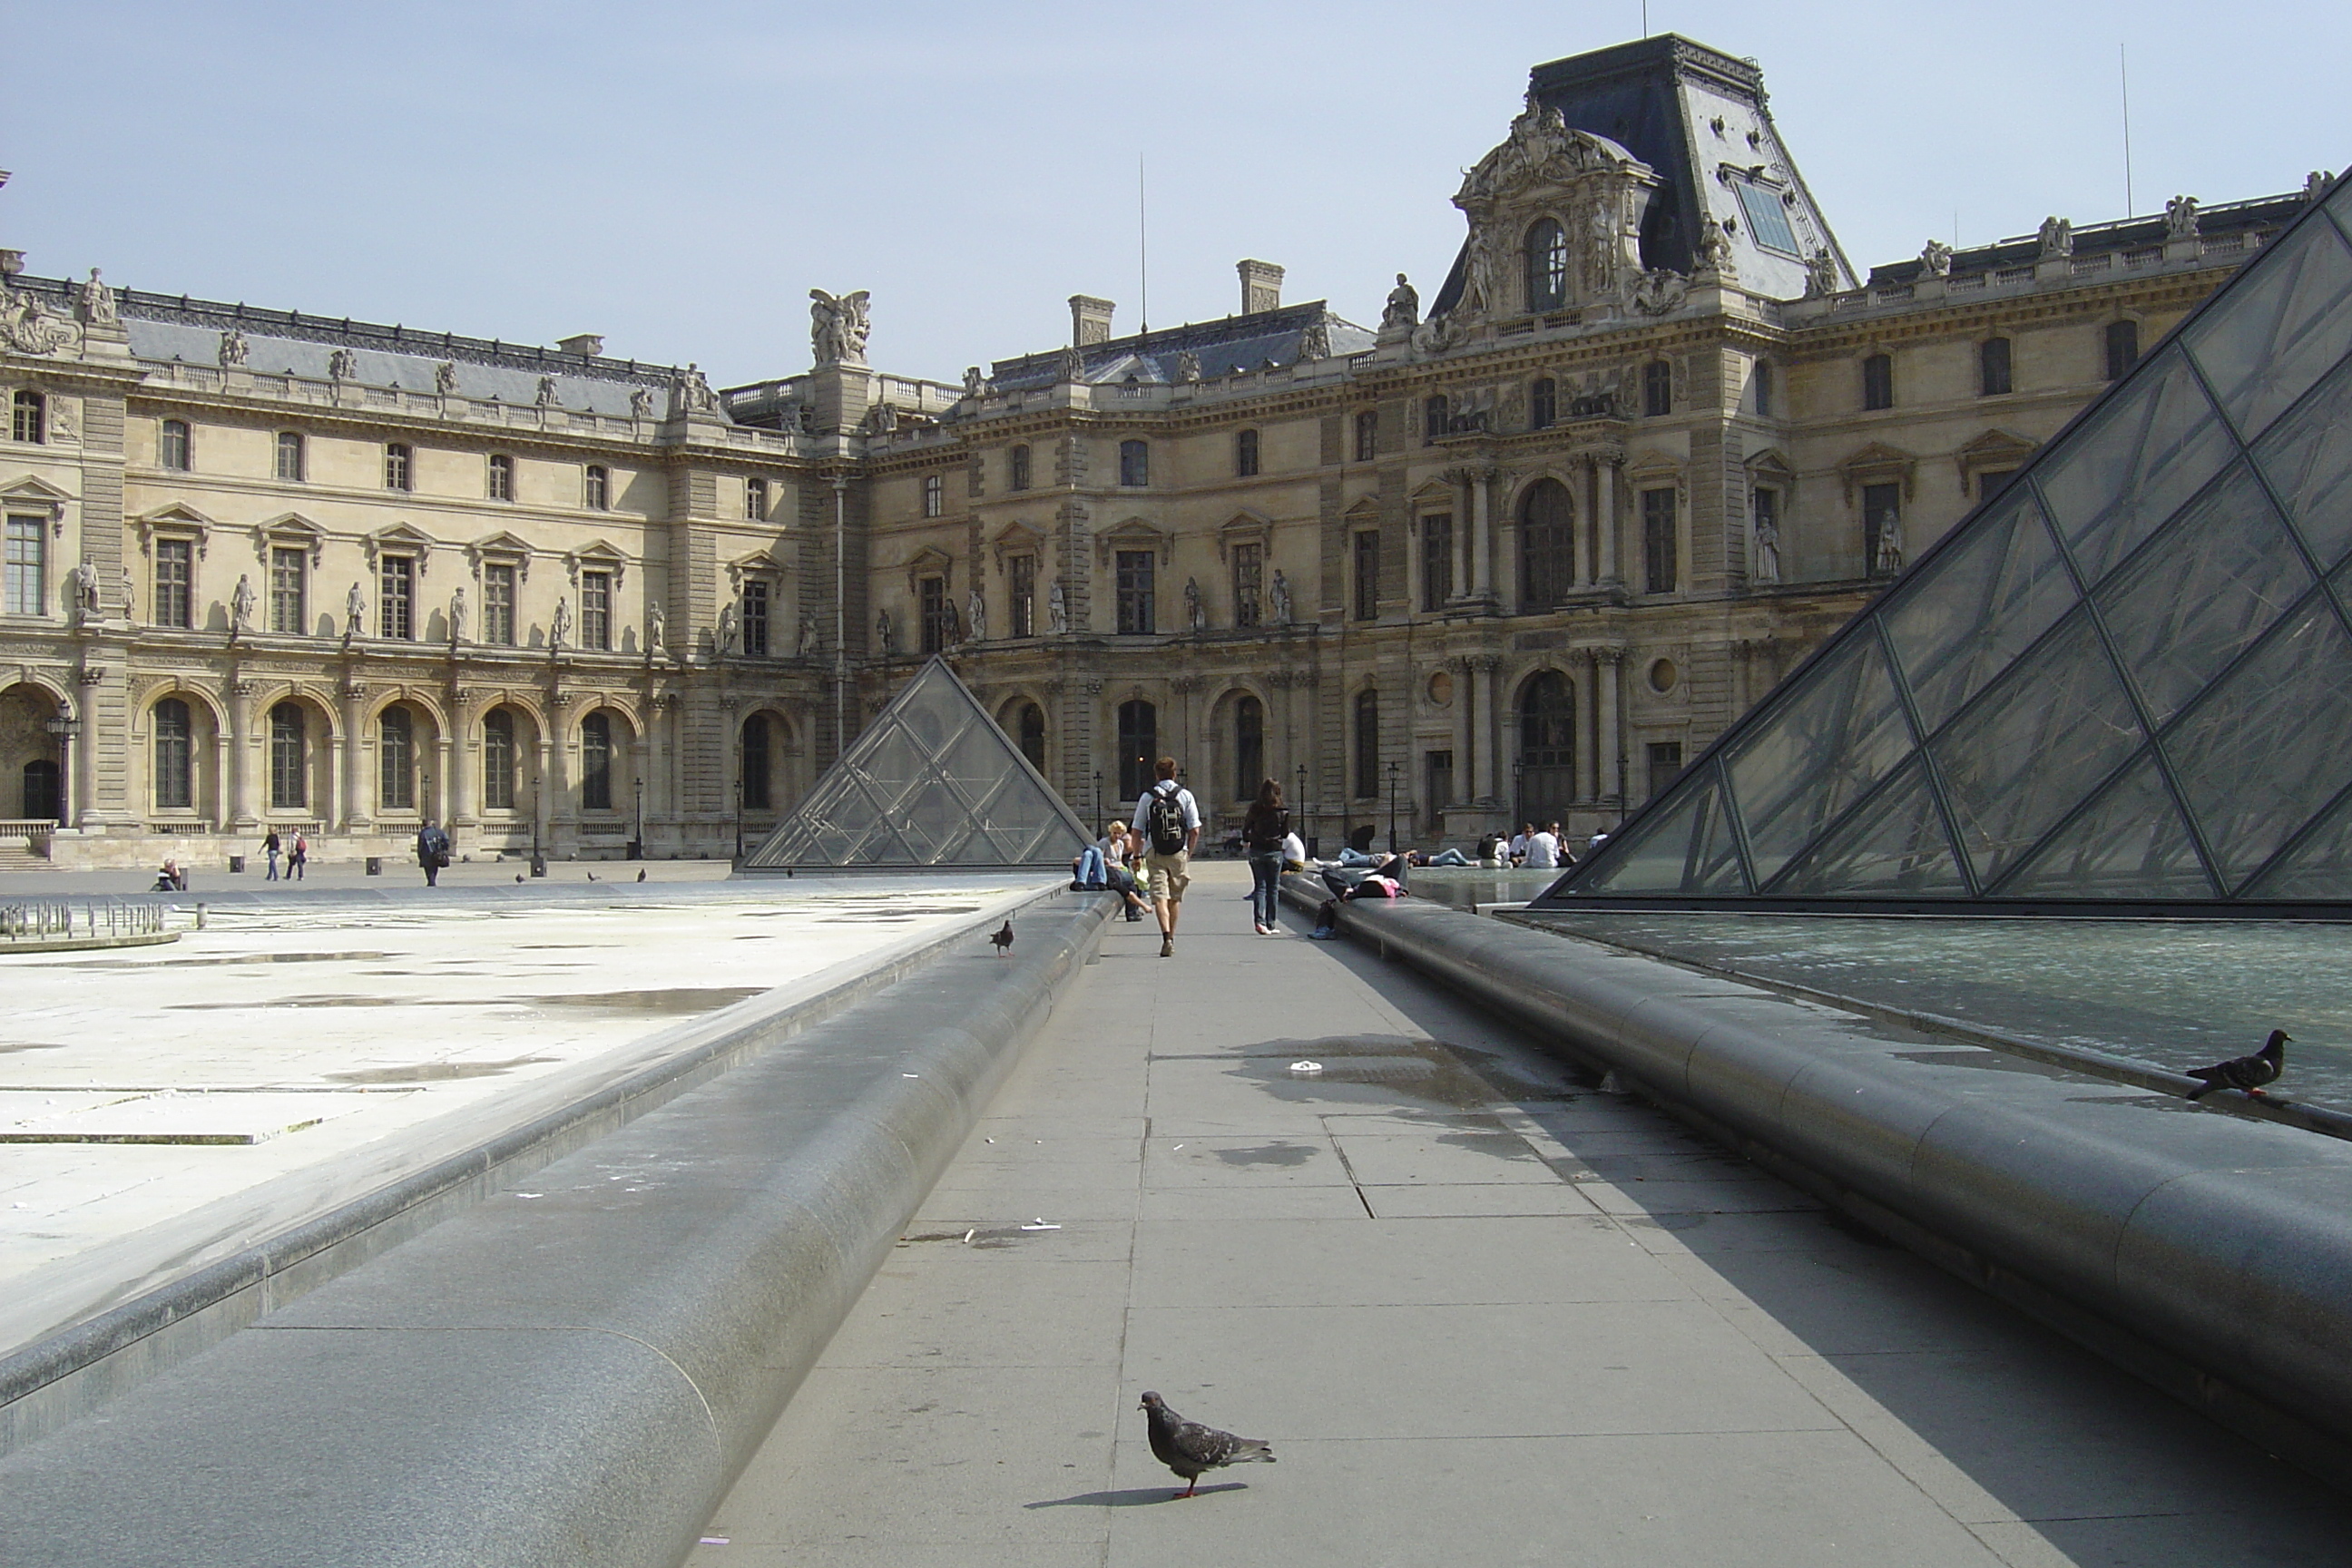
x: 2127, y: 681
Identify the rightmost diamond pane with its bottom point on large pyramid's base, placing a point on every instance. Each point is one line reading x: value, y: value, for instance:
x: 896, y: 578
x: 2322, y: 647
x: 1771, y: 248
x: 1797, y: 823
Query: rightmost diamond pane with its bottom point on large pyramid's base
x: 2271, y: 744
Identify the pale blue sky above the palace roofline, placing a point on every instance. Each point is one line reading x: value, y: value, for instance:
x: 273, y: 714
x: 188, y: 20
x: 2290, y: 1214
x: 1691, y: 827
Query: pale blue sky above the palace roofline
x: 681, y: 175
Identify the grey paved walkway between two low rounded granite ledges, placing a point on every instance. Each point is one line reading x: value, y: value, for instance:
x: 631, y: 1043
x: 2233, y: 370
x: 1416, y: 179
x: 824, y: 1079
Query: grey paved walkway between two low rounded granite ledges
x: 1485, y: 1315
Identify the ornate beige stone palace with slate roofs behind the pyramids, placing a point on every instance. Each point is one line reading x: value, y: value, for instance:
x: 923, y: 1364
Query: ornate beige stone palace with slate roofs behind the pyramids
x: 1516, y: 551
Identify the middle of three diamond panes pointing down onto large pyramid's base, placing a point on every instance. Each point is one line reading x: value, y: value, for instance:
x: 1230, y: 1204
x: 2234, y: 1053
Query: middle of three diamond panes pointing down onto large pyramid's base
x: 2033, y: 746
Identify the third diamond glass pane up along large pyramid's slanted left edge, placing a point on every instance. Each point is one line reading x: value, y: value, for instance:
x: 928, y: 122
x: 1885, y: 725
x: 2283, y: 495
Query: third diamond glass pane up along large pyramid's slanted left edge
x: 2132, y: 464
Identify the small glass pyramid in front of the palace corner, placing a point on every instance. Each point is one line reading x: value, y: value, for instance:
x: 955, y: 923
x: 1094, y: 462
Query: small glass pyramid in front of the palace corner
x: 933, y: 782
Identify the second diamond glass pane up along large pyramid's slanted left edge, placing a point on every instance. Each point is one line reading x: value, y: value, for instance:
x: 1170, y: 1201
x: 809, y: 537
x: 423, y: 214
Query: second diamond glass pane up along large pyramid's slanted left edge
x: 1979, y: 605
